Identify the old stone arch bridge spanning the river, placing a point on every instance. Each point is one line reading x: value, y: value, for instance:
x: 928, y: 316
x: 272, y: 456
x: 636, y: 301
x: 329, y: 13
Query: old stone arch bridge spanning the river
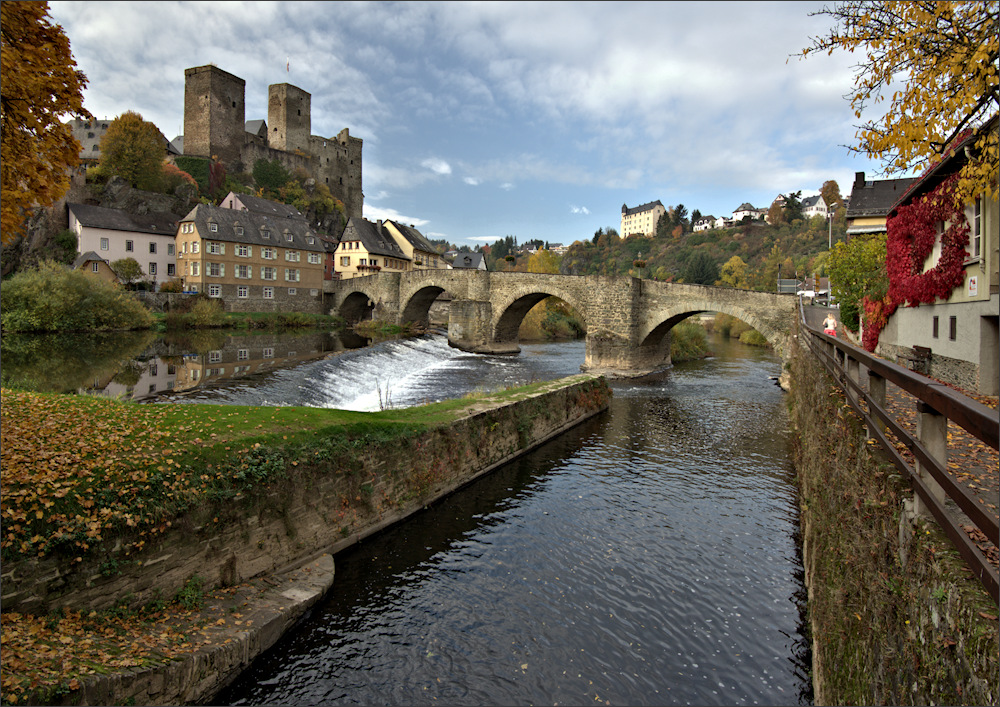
x: 628, y: 321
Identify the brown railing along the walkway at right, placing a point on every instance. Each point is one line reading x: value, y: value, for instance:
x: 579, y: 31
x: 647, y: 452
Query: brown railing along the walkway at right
x: 936, y: 405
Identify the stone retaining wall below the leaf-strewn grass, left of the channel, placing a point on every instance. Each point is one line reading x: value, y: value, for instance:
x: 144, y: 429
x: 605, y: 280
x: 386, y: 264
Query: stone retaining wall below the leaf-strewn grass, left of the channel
x: 315, y: 509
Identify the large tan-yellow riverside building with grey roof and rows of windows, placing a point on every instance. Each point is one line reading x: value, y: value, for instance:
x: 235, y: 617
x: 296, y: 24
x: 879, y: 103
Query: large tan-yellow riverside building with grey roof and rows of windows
x: 253, y: 262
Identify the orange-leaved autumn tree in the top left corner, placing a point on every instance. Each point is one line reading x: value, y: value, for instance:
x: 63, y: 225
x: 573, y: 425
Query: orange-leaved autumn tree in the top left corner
x: 39, y: 84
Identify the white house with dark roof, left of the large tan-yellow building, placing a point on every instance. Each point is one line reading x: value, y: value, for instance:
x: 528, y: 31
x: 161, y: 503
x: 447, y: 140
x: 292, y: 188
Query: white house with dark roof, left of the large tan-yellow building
x: 115, y: 234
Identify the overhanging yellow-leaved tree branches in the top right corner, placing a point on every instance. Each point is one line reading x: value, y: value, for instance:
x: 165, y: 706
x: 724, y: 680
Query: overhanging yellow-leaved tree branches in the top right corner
x: 935, y: 63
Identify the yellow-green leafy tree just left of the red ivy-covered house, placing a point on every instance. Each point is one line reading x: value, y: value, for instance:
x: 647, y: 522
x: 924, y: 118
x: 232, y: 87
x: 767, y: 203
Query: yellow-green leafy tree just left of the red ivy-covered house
x: 856, y: 269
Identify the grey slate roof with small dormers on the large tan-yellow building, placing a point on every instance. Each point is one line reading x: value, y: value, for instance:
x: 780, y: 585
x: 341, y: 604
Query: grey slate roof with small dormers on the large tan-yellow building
x: 254, y: 225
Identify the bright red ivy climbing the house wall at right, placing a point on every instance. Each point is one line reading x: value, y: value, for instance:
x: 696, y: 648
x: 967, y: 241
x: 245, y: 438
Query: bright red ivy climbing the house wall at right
x: 912, y: 233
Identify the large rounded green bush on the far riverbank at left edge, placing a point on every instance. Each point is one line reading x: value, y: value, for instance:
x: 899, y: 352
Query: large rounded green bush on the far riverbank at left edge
x: 52, y: 297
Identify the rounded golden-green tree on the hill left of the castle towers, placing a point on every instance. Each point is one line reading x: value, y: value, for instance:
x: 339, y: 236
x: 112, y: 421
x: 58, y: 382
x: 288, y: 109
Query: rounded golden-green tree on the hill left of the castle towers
x: 133, y: 149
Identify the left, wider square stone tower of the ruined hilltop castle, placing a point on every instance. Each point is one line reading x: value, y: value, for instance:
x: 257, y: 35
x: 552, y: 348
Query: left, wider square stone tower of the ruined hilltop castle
x: 214, y: 113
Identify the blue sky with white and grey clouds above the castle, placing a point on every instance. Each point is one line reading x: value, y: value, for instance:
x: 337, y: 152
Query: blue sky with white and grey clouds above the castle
x: 482, y: 120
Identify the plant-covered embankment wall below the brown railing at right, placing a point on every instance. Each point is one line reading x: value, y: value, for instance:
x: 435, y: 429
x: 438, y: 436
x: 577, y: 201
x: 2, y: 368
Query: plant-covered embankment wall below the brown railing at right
x: 895, y: 616
